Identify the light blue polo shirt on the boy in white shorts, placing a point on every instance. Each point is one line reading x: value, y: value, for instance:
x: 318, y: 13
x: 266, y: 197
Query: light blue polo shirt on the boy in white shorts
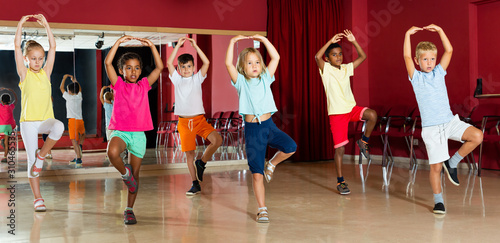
x: 432, y: 96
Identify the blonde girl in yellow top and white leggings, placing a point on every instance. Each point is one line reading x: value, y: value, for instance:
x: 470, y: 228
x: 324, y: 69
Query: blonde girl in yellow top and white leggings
x: 37, y: 116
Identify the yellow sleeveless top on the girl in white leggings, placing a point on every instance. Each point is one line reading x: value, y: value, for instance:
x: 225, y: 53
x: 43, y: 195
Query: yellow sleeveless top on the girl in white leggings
x: 36, y: 93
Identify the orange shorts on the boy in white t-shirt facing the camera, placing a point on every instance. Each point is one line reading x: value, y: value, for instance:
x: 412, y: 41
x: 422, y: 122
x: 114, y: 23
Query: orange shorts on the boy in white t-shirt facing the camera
x: 190, y: 127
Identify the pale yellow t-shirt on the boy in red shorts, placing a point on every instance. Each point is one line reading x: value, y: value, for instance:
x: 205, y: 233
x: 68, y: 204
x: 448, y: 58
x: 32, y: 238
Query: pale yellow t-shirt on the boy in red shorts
x: 340, y: 99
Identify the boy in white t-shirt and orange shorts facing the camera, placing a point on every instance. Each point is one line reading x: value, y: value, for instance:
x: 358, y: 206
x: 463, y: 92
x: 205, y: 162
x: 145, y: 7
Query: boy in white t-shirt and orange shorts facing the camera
x: 189, y: 108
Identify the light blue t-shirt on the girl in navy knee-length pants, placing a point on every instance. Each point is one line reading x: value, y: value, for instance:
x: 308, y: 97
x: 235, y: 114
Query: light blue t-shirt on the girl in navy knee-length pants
x: 255, y: 95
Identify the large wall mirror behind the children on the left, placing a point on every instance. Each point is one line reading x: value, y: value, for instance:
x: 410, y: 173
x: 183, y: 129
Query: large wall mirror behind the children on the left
x: 81, y: 53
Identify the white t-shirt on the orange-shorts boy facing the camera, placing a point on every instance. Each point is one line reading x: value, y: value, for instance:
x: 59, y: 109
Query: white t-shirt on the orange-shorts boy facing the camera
x: 188, y: 94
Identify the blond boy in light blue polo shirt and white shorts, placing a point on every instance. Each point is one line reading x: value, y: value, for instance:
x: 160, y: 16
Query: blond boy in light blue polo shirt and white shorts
x: 438, y: 122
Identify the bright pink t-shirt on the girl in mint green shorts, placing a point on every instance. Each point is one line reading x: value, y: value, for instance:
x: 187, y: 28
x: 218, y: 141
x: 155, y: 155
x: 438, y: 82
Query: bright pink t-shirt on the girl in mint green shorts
x: 131, y: 107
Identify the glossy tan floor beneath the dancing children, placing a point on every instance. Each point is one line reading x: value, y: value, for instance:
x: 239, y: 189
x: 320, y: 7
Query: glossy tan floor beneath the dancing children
x: 303, y: 203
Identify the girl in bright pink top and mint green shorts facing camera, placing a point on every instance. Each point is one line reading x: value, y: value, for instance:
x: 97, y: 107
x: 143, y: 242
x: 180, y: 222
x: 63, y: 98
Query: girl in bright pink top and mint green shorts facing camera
x: 131, y: 115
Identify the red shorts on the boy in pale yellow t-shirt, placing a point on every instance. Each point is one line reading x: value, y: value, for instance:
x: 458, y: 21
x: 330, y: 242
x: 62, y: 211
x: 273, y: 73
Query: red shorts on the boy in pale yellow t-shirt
x: 339, y: 124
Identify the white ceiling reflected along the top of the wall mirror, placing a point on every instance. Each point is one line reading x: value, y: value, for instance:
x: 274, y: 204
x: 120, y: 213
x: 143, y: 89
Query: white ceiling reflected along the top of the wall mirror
x: 68, y: 40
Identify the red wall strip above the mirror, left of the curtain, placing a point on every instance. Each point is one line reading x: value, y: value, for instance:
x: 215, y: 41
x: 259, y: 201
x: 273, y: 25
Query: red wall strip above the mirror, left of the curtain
x: 215, y: 14
